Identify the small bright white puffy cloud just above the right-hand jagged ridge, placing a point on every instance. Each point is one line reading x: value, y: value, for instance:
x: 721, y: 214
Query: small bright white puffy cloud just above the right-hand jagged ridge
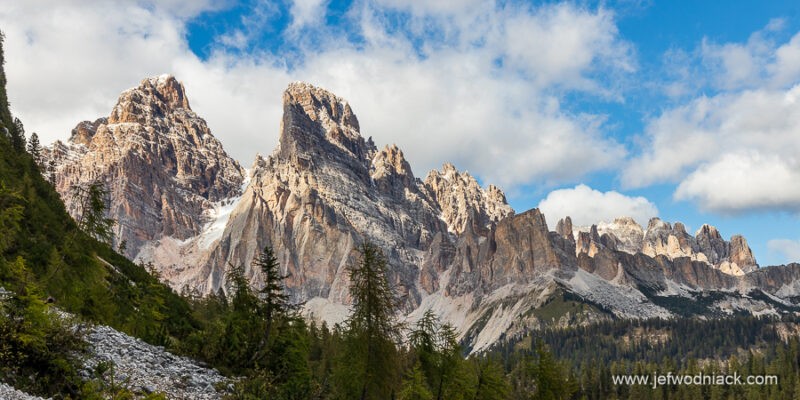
x: 587, y: 206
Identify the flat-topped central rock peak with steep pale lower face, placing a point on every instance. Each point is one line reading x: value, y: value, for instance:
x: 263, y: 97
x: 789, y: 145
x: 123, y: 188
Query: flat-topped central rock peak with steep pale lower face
x: 318, y: 195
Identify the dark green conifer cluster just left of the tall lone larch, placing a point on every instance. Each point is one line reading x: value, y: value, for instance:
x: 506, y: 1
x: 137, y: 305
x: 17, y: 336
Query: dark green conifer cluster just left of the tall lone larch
x: 255, y: 334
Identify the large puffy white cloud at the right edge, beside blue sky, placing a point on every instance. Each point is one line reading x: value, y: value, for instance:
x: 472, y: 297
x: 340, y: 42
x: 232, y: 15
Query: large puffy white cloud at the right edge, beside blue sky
x: 736, y: 150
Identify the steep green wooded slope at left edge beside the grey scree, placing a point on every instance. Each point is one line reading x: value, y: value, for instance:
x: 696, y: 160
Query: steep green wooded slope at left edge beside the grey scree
x: 44, y: 253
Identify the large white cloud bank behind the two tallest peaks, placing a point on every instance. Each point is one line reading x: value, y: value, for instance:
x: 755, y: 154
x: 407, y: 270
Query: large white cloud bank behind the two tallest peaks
x: 473, y: 83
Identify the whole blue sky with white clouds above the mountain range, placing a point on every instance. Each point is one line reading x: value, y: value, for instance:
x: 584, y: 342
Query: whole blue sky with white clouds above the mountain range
x: 680, y: 109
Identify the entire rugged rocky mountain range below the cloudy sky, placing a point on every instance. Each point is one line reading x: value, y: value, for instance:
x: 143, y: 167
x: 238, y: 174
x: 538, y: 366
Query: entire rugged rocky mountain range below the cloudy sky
x: 454, y: 247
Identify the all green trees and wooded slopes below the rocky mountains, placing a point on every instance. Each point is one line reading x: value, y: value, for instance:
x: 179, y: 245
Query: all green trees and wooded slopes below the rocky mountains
x: 258, y: 337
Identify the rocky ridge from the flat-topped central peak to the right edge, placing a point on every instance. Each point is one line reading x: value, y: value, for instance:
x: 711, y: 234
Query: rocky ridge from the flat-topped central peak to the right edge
x: 452, y: 246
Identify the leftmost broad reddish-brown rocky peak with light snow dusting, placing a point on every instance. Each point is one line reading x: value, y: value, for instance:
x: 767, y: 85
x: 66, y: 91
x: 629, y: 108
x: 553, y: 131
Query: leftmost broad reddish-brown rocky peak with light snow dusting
x: 159, y: 161
